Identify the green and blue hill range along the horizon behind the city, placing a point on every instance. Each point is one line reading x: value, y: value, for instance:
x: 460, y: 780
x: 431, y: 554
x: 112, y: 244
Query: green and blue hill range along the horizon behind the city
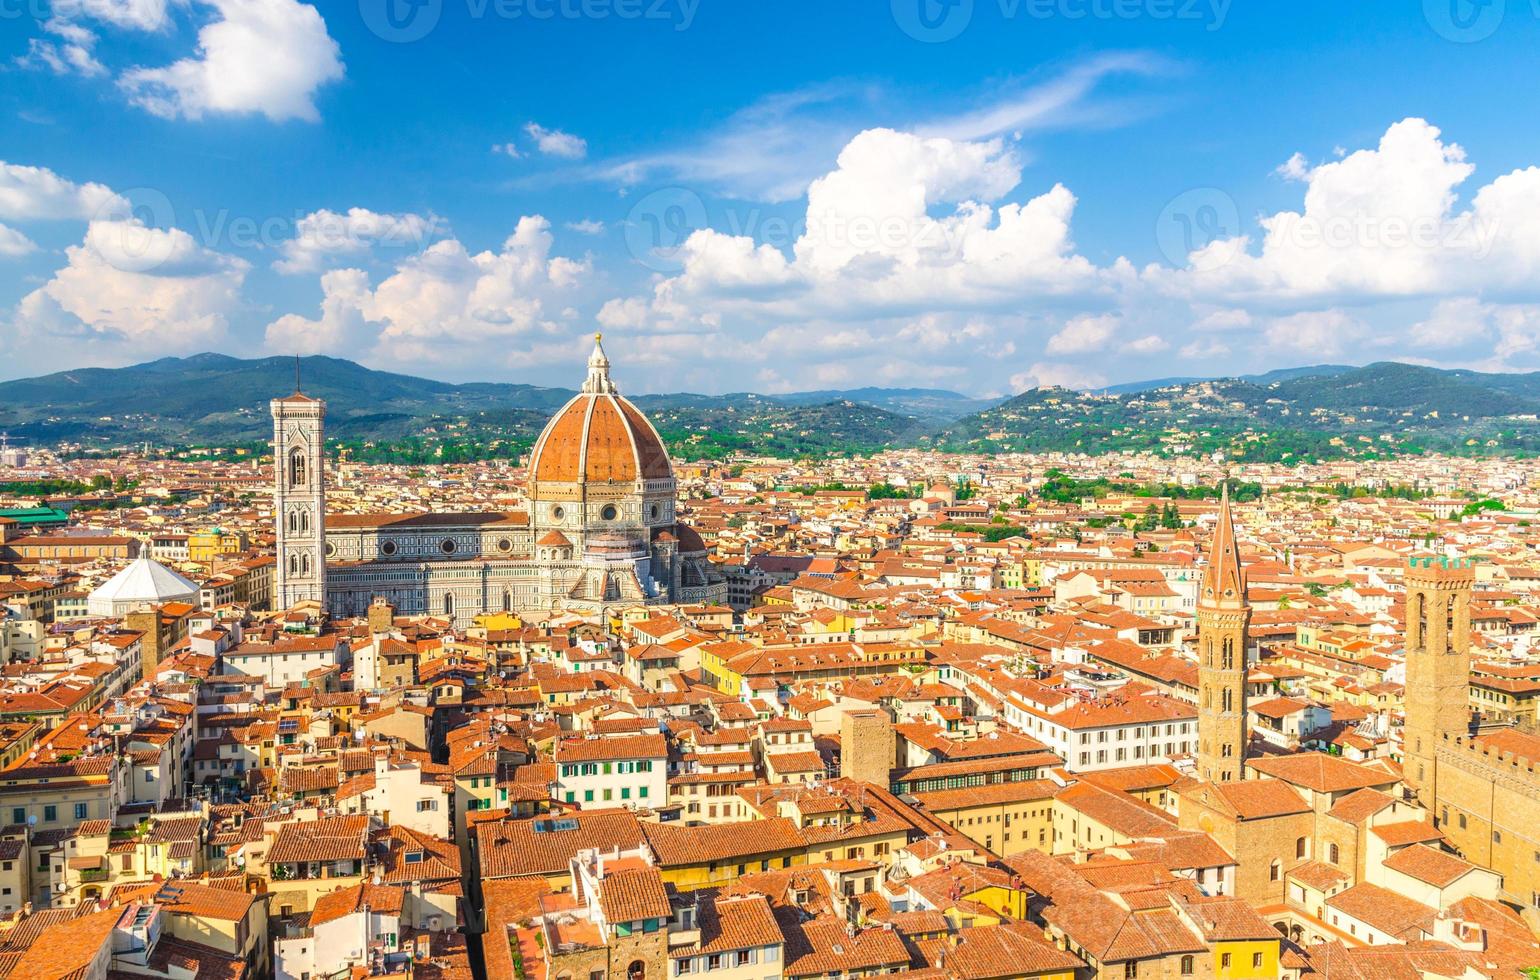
x: 1293, y: 414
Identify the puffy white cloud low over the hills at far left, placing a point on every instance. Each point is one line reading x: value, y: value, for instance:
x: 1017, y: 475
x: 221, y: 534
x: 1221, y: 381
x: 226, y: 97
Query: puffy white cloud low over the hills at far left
x: 129, y: 286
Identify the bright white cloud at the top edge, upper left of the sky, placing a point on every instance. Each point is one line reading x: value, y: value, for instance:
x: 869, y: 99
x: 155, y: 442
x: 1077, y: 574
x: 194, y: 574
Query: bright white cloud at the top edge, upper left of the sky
x: 266, y: 58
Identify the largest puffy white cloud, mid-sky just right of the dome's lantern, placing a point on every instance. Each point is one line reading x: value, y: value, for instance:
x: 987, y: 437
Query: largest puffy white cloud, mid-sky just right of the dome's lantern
x: 880, y: 243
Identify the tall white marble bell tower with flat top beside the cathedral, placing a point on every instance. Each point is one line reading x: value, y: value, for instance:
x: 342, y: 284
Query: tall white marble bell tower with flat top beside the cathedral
x: 300, y: 498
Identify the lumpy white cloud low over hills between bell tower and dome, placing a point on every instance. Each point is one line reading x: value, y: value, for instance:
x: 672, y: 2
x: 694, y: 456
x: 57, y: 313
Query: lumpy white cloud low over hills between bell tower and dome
x: 444, y: 304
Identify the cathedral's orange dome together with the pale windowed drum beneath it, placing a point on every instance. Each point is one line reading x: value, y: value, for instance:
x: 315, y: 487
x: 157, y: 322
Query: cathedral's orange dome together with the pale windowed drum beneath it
x: 600, y: 477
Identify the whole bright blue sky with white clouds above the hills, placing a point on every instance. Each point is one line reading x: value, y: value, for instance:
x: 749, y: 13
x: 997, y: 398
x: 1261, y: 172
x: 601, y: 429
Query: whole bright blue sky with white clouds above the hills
x: 976, y: 195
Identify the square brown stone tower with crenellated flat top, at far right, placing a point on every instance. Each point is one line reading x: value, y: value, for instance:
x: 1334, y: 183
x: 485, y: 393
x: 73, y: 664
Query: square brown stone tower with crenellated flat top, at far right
x: 1438, y: 666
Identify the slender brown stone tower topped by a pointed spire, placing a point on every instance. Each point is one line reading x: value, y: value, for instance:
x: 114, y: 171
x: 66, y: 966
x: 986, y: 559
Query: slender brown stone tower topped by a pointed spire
x: 1224, y: 617
